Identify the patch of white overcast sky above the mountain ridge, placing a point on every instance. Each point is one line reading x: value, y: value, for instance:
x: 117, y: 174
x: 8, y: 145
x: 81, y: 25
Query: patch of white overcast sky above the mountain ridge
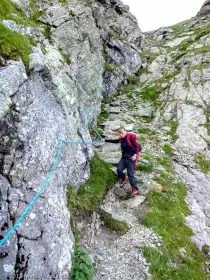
x: 153, y: 14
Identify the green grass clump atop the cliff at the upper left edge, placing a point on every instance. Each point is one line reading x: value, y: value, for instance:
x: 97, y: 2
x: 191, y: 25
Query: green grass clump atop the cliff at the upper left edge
x: 14, y: 45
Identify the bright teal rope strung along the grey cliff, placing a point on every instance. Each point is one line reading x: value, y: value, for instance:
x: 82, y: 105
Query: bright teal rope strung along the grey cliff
x: 33, y: 201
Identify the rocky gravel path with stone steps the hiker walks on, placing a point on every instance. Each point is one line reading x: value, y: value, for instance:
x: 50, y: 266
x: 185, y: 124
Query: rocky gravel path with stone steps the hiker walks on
x: 119, y: 255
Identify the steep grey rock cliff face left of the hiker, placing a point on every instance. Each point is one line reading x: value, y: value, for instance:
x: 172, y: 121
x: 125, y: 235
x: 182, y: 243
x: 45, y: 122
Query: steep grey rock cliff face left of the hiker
x: 41, y: 102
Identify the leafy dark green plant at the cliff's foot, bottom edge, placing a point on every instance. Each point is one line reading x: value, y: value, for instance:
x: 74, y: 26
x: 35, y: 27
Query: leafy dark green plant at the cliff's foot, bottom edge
x: 82, y: 268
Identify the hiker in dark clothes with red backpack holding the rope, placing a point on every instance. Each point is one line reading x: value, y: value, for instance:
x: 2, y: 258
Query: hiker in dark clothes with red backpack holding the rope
x: 129, y: 156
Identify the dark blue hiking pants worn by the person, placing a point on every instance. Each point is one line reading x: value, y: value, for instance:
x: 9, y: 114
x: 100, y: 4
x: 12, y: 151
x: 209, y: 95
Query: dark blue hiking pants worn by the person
x: 129, y: 164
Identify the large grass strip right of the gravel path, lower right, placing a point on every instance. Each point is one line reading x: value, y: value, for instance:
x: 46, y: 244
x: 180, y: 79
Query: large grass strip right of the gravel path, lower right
x: 166, y: 215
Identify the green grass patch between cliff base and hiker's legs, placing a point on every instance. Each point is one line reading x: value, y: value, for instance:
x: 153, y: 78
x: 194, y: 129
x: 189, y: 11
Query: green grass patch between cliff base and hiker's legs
x: 93, y: 191
